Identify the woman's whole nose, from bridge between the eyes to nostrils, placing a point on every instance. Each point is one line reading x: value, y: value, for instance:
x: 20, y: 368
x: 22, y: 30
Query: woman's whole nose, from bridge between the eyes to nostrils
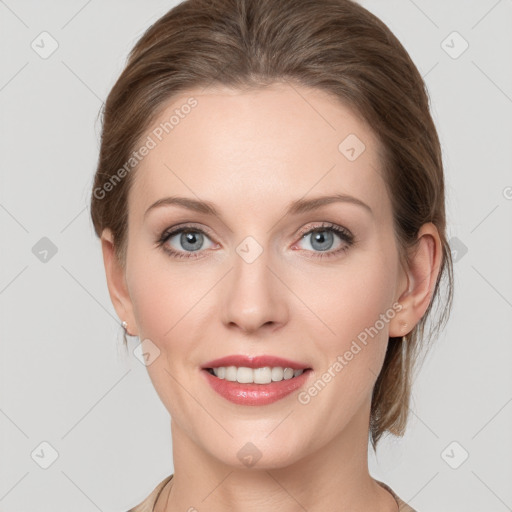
x: 254, y: 296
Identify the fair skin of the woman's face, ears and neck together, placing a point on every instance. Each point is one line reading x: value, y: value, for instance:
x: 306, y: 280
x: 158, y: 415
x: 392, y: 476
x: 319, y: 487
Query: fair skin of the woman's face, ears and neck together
x: 251, y: 153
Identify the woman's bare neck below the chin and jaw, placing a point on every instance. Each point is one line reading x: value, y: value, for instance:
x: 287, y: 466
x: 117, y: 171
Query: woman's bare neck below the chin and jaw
x: 334, y: 477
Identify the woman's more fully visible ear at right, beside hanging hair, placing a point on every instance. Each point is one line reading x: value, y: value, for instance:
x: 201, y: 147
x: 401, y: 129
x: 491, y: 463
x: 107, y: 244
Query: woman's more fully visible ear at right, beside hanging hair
x: 420, y: 278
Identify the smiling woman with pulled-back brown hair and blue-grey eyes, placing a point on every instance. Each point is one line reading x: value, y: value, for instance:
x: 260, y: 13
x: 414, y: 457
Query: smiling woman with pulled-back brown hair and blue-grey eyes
x: 270, y: 202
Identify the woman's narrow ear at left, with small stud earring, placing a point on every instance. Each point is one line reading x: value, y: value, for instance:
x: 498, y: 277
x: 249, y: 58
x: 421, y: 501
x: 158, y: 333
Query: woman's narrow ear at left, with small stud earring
x: 116, y: 282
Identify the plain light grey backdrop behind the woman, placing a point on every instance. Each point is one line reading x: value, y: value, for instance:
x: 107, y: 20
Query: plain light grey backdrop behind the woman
x: 63, y: 374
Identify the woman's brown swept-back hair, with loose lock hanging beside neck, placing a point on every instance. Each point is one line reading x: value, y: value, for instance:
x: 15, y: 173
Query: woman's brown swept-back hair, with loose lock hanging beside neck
x: 336, y: 46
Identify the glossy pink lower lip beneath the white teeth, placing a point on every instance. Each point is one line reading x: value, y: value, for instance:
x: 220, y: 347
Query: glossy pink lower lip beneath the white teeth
x: 255, y: 394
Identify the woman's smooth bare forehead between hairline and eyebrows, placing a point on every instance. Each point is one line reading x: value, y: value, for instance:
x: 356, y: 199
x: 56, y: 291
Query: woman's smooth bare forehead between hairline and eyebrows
x: 257, y: 147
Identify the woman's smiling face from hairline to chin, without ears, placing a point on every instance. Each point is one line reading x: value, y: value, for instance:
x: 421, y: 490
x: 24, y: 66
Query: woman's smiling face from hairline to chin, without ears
x: 256, y: 279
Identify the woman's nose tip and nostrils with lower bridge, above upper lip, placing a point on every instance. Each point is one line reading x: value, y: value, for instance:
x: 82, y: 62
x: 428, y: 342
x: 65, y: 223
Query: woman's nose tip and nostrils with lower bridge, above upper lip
x: 254, y: 296
